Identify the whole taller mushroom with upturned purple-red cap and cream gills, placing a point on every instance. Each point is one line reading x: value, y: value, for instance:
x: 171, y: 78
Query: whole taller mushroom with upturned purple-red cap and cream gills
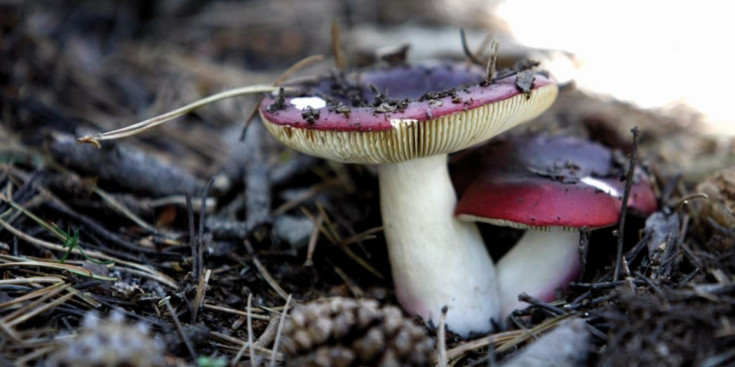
x: 433, y: 109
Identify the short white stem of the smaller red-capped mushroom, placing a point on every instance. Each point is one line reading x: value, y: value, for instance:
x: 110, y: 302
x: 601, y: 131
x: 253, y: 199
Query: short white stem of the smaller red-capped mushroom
x: 540, y: 263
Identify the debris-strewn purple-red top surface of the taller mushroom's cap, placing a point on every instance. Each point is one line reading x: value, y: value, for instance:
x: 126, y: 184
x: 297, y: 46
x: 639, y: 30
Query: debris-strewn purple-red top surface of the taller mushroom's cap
x: 410, y: 92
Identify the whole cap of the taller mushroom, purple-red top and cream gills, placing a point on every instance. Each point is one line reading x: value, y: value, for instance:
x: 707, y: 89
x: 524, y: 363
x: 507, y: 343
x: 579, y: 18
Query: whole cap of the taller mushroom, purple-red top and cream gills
x: 400, y: 113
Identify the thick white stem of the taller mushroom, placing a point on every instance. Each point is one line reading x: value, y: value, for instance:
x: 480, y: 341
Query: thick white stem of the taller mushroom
x: 437, y: 261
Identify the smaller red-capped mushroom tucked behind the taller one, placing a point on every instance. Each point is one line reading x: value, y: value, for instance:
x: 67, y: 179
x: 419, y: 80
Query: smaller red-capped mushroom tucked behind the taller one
x: 551, y: 187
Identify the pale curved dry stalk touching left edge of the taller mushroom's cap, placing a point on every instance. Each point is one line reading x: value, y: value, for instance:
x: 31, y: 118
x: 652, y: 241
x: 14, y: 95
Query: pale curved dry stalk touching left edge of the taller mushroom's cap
x: 155, y: 121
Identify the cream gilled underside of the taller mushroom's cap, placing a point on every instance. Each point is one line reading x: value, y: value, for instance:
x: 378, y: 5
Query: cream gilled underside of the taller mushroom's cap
x: 410, y: 139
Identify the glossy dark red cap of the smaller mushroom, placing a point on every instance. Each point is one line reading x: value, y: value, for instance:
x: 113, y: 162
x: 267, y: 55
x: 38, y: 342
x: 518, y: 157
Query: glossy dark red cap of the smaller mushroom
x: 550, y: 181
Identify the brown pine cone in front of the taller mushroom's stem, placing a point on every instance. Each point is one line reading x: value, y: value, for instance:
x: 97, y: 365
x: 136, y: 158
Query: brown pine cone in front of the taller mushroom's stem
x: 342, y: 332
